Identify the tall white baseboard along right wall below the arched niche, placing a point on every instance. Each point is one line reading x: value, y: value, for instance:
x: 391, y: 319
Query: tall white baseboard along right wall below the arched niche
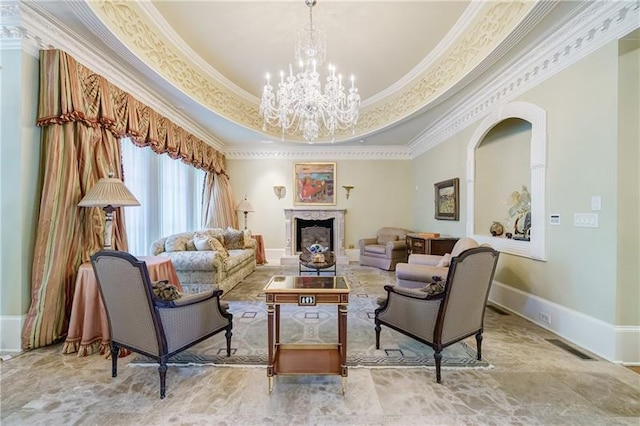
x: 617, y: 344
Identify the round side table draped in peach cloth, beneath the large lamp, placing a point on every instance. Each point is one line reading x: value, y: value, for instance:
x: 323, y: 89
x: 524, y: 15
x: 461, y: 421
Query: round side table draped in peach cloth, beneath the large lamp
x: 88, y: 326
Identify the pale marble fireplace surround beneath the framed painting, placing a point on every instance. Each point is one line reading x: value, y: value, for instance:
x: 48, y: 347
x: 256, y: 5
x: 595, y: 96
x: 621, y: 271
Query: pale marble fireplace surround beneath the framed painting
x: 290, y: 215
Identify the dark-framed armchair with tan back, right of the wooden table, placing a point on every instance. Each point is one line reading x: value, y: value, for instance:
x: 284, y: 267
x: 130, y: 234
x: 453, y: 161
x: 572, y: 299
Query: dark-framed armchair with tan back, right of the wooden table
x: 442, y: 319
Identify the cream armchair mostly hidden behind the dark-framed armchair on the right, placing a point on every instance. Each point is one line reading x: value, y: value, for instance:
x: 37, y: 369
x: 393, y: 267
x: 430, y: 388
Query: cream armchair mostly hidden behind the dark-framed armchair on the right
x: 422, y: 268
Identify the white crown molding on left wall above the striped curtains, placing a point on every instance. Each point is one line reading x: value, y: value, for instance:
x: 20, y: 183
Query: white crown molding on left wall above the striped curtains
x: 44, y: 32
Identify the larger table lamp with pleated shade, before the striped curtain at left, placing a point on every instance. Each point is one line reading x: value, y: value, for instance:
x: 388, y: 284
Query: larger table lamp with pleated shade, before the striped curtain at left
x: 108, y: 193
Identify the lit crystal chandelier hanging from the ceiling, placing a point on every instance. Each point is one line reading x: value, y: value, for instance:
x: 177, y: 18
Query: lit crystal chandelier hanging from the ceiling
x: 300, y: 105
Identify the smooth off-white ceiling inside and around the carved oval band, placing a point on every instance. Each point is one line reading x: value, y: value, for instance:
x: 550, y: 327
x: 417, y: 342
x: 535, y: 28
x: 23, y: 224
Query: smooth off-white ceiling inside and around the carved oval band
x: 385, y: 44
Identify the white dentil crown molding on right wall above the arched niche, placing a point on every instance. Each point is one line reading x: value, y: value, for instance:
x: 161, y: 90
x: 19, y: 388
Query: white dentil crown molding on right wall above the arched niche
x: 601, y: 23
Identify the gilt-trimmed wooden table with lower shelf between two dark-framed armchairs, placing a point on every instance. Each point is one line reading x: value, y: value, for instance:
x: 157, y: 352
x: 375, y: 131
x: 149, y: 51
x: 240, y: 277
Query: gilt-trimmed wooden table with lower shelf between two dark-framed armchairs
x: 306, y: 358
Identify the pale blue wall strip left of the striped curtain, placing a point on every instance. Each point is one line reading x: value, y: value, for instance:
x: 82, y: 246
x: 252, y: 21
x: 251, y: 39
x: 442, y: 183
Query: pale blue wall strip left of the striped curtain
x: 19, y: 178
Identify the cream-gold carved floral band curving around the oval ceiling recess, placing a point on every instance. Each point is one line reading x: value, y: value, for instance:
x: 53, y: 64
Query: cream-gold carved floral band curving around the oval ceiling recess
x: 133, y: 26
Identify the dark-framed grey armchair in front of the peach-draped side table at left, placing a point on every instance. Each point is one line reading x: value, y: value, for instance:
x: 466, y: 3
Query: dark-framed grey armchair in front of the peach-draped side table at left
x: 149, y: 324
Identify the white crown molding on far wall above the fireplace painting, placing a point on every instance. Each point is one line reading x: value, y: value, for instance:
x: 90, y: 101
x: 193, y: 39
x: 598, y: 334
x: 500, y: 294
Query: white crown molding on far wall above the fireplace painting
x: 325, y: 153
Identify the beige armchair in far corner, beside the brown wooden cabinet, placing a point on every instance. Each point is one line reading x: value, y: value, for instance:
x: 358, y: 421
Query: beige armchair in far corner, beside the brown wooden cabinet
x: 385, y: 250
